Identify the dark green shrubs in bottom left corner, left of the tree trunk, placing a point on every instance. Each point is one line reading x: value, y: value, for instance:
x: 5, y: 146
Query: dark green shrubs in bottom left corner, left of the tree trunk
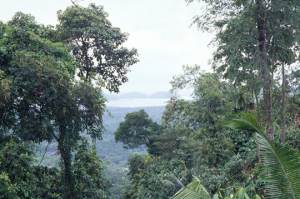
x: 19, y: 178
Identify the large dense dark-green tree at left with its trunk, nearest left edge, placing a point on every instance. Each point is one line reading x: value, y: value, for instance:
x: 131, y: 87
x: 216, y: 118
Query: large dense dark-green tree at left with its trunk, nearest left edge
x: 54, y: 106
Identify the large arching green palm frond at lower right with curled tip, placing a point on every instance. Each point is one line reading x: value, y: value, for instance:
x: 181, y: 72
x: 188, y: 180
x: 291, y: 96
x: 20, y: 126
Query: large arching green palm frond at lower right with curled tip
x: 281, y: 162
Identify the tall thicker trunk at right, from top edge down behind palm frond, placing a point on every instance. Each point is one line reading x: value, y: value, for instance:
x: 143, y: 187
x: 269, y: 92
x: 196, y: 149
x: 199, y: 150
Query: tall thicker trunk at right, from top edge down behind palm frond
x: 261, y: 26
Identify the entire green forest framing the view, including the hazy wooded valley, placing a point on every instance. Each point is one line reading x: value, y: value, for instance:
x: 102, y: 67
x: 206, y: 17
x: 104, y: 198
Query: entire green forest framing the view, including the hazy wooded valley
x: 237, y: 138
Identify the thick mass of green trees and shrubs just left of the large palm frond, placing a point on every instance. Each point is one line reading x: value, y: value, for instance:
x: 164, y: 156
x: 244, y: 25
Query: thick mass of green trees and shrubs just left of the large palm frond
x: 193, y: 141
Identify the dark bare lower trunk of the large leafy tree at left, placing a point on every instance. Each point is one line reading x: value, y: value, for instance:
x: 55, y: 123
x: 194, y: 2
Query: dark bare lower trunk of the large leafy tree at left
x: 66, y: 160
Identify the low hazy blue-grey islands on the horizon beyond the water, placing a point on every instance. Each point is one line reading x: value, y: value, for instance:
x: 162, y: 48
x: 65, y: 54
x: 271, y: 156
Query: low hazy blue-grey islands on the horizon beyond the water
x: 138, y: 95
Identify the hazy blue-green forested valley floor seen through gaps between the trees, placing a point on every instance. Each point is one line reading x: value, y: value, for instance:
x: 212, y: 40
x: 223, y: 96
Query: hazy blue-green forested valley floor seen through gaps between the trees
x: 107, y: 148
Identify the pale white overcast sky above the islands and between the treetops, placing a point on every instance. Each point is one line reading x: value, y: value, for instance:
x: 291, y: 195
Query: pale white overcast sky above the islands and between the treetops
x: 160, y: 30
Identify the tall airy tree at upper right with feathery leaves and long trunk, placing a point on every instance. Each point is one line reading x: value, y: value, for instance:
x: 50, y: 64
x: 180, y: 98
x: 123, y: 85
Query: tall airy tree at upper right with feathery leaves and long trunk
x: 245, y: 32
